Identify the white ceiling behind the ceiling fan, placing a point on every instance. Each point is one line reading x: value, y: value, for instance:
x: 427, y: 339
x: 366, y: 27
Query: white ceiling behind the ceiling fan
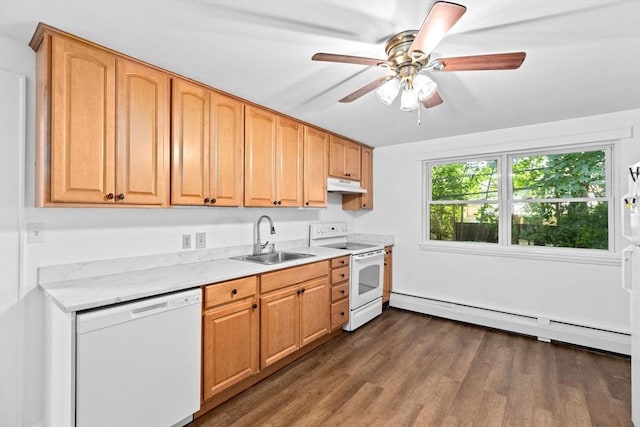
x: 583, y: 56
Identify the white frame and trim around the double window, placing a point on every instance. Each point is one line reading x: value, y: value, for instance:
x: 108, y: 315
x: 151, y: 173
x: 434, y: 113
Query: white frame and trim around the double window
x: 504, y: 248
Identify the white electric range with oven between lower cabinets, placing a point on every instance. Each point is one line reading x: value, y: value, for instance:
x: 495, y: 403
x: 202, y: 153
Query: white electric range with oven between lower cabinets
x: 366, y: 270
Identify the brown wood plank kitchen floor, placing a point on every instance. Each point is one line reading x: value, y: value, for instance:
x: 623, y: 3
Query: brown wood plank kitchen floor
x: 408, y: 369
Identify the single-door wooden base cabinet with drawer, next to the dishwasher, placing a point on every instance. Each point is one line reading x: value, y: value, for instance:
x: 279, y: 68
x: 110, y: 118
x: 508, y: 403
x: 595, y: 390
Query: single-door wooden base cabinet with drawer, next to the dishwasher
x: 229, y: 334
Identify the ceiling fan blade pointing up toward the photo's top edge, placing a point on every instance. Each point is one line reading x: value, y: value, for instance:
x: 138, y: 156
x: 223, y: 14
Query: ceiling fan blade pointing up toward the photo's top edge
x: 438, y: 22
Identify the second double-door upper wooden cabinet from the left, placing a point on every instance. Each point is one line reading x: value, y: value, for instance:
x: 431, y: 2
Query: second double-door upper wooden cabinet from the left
x: 207, y: 147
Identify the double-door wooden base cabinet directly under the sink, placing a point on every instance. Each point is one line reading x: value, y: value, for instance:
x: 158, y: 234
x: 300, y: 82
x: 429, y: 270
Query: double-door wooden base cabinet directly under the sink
x: 295, y: 313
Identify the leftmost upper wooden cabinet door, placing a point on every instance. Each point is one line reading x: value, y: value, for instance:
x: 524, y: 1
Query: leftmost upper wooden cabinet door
x: 82, y: 123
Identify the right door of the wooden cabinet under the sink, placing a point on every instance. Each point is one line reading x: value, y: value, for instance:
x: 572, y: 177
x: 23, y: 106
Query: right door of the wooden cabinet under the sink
x: 315, y: 309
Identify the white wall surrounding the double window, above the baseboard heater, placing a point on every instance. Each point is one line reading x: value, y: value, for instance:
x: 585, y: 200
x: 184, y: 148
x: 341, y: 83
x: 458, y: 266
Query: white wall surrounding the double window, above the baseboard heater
x: 576, y: 293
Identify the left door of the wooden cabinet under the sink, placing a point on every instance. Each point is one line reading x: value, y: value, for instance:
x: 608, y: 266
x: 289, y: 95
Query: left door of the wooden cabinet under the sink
x: 279, y: 325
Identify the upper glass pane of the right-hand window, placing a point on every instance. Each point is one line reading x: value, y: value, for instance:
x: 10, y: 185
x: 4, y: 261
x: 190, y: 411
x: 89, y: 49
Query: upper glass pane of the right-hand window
x: 556, y: 176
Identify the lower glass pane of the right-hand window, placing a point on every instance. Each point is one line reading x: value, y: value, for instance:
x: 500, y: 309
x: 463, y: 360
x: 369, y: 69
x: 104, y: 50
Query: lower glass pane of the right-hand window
x: 569, y: 224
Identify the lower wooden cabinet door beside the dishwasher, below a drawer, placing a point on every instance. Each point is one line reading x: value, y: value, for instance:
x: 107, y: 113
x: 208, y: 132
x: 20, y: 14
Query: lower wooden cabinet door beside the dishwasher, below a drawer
x: 230, y: 346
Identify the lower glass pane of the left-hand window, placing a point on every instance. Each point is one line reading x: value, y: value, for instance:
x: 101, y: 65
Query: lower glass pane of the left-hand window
x: 464, y: 223
